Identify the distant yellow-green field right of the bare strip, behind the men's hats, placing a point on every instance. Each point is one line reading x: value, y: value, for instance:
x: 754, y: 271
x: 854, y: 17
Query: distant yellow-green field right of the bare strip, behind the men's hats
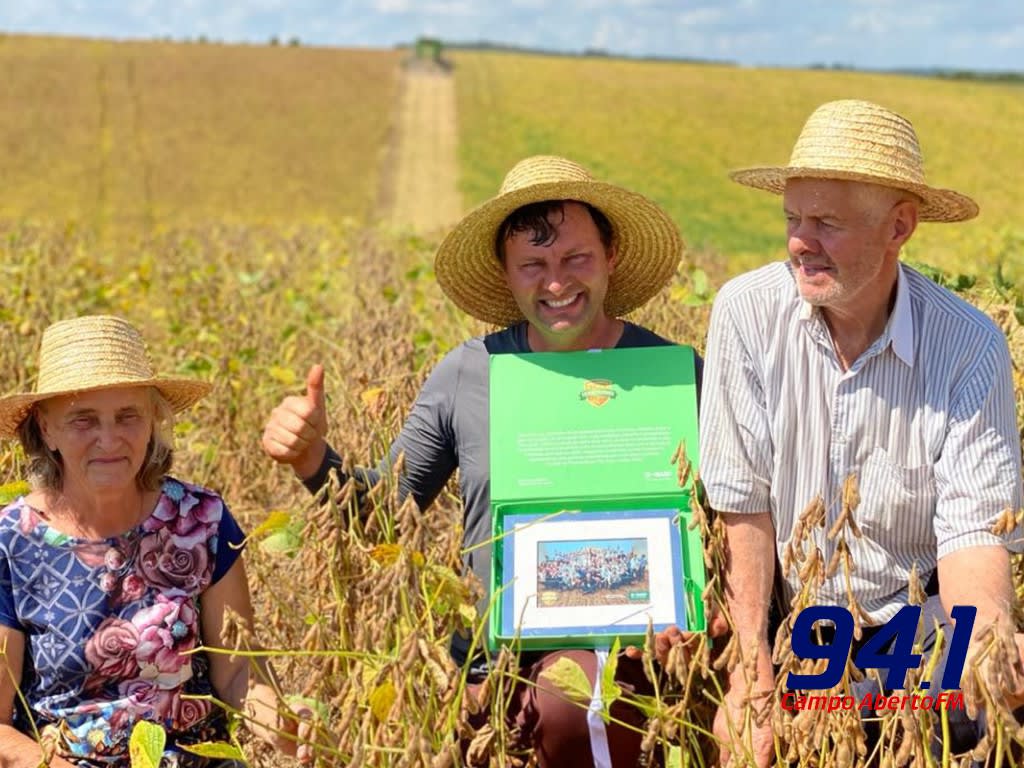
x: 674, y: 131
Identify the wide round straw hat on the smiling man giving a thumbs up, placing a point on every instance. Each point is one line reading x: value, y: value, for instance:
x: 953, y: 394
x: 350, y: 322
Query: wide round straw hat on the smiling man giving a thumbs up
x: 648, y: 242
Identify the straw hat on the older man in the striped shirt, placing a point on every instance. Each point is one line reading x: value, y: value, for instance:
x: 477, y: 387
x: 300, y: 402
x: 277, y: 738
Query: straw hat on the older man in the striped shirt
x: 862, y: 142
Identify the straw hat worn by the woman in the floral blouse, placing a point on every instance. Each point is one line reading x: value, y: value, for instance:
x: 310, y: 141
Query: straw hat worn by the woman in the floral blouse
x: 95, y: 353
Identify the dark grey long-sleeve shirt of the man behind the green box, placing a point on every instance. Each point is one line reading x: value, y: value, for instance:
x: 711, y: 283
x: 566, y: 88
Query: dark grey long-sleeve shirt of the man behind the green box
x: 449, y: 429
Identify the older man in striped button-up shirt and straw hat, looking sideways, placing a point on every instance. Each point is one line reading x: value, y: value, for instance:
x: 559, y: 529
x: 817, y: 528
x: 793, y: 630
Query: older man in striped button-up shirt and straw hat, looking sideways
x: 844, y: 363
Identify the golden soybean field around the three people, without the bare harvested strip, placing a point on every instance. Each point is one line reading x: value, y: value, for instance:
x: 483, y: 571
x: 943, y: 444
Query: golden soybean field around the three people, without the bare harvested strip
x: 229, y: 202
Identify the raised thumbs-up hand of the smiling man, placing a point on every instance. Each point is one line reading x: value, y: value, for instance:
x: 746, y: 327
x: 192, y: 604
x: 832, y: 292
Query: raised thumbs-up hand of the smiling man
x: 296, y: 433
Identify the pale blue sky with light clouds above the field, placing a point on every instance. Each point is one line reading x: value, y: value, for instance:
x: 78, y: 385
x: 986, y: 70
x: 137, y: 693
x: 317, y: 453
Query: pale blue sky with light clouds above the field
x: 871, y: 34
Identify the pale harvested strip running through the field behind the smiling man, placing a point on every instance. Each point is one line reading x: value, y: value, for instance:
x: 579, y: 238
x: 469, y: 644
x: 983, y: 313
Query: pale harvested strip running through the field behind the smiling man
x: 419, y: 192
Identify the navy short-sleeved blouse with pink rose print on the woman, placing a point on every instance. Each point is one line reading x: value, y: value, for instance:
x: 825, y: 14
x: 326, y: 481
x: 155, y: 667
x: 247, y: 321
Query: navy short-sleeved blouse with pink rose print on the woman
x: 107, y: 623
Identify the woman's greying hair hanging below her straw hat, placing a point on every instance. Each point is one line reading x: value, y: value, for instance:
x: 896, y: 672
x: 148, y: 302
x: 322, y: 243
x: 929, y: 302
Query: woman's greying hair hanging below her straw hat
x: 47, y: 467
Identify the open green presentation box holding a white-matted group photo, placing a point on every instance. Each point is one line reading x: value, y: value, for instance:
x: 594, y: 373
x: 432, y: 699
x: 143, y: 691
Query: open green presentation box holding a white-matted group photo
x: 590, y: 498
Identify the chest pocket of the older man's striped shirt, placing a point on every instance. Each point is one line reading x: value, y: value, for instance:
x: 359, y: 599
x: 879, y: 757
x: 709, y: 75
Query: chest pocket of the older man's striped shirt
x: 898, y: 503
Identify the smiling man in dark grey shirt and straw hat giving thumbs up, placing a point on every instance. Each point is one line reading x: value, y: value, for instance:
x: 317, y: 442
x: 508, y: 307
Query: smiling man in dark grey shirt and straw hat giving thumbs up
x: 554, y: 261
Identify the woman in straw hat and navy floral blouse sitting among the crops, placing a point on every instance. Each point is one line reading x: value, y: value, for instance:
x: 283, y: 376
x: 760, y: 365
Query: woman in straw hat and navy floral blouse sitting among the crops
x: 111, y: 571
